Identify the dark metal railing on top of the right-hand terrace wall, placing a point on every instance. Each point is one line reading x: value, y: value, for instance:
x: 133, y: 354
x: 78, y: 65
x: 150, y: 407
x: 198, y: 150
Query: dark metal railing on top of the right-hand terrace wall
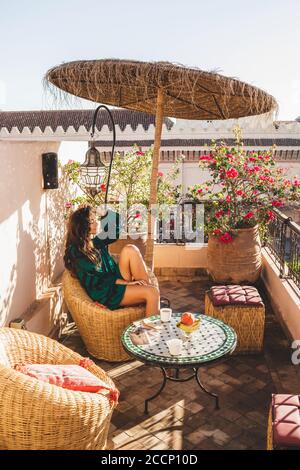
x: 283, y: 241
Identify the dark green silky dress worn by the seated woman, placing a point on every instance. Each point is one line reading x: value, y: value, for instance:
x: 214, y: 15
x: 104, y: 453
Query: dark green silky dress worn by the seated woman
x: 100, y: 282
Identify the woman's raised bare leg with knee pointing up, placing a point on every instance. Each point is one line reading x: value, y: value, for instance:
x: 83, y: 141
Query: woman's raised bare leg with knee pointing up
x: 132, y: 266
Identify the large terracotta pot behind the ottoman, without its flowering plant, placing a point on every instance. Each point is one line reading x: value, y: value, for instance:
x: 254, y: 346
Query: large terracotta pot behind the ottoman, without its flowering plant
x: 237, y: 262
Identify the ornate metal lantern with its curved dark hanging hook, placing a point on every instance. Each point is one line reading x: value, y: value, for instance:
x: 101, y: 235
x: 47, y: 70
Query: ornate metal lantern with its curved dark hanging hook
x: 93, y: 170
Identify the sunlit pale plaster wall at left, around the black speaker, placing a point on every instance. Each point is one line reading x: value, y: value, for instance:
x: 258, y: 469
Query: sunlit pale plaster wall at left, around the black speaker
x: 31, y: 228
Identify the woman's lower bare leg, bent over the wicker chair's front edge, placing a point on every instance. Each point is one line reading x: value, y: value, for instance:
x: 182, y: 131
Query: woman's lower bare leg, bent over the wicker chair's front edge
x: 142, y: 294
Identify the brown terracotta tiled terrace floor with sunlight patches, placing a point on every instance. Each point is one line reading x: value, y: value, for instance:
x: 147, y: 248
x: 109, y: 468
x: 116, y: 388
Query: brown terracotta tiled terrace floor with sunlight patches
x: 183, y: 417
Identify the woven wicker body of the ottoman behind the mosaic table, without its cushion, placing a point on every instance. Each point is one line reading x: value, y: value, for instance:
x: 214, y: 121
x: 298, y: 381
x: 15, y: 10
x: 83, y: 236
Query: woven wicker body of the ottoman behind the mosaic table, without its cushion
x: 247, y: 321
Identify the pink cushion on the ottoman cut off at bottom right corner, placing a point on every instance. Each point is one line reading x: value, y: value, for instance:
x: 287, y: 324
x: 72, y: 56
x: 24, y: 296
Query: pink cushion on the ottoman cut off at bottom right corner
x: 286, y: 420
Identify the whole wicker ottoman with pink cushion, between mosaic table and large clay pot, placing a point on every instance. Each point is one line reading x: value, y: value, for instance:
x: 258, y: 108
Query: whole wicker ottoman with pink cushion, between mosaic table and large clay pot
x: 242, y: 308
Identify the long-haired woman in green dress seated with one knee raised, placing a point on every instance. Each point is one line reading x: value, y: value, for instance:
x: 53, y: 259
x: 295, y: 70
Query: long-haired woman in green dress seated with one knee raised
x: 105, y: 281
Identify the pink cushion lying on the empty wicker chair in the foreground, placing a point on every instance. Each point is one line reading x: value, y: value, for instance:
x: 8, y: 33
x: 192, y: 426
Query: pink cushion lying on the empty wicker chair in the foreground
x: 70, y: 376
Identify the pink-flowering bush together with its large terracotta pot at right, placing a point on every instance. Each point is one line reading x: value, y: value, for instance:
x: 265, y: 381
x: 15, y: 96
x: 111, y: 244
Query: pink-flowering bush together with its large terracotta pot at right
x: 242, y: 192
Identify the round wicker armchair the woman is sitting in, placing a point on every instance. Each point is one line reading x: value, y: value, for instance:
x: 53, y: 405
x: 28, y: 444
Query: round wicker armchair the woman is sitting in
x: 100, y: 328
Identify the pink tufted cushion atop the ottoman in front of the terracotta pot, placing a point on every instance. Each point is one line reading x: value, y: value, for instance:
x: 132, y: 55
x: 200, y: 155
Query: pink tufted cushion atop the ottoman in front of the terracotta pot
x: 235, y: 295
